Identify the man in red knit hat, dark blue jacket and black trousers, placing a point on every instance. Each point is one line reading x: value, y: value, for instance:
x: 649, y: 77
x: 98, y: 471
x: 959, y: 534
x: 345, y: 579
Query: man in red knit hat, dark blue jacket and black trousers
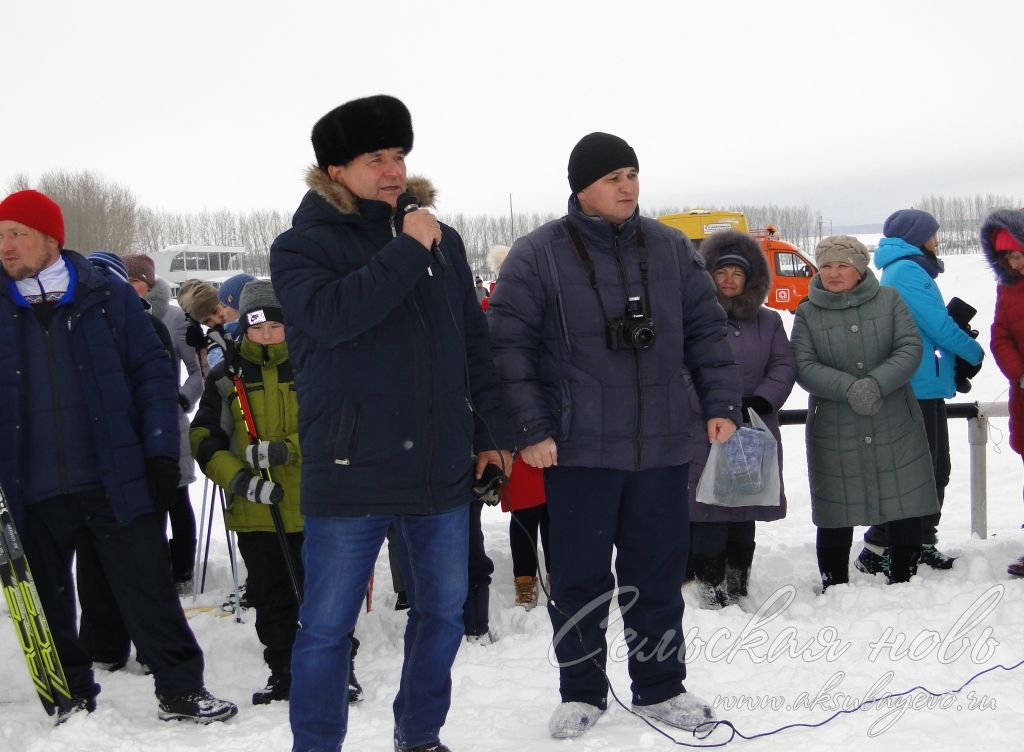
x: 90, y: 416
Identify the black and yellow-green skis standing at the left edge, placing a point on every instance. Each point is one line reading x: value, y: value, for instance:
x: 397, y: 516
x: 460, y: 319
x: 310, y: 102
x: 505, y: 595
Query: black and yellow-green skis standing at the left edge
x: 30, y: 623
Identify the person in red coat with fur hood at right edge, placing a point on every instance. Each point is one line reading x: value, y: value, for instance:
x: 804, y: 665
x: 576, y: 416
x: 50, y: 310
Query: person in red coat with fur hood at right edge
x: 1003, y: 244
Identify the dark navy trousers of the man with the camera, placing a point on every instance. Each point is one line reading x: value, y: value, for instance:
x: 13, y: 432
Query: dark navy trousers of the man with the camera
x: 645, y: 517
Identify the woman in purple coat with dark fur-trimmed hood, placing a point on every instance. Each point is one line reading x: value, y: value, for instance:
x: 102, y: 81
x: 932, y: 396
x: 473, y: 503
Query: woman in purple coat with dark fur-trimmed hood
x: 722, y: 538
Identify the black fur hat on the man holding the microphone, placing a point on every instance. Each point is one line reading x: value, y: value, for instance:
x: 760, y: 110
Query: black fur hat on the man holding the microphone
x: 361, y: 127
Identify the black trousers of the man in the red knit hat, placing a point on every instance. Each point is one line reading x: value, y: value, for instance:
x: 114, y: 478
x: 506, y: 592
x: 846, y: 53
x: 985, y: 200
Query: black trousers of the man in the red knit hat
x: 134, y: 559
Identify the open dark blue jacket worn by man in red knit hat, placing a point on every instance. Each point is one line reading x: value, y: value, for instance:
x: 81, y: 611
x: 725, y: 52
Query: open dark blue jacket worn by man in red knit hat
x: 122, y: 395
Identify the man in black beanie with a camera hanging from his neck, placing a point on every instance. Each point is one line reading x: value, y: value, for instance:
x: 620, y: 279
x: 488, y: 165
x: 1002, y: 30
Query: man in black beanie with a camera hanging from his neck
x: 596, y: 319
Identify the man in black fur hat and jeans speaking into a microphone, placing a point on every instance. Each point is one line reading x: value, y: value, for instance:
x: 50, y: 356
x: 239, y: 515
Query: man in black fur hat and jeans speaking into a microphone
x: 383, y: 329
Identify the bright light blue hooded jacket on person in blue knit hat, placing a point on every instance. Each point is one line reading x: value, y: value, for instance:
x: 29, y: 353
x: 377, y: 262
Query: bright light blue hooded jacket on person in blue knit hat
x: 942, y: 338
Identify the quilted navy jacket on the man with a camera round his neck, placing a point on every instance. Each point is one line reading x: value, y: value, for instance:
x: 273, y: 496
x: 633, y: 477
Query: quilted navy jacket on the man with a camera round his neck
x: 622, y: 409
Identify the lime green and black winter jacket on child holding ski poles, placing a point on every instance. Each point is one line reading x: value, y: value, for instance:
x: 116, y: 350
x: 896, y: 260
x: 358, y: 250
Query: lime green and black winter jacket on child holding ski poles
x: 219, y: 435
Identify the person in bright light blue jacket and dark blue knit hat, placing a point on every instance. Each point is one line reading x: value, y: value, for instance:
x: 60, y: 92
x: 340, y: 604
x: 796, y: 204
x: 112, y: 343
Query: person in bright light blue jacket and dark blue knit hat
x: 909, y: 263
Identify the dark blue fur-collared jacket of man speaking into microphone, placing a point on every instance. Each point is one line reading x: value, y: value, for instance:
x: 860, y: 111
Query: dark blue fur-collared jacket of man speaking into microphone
x: 381, y: 351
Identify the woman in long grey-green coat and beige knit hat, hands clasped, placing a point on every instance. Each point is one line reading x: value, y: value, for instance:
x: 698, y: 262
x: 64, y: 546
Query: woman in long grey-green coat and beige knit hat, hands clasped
x: 857, y: 348
